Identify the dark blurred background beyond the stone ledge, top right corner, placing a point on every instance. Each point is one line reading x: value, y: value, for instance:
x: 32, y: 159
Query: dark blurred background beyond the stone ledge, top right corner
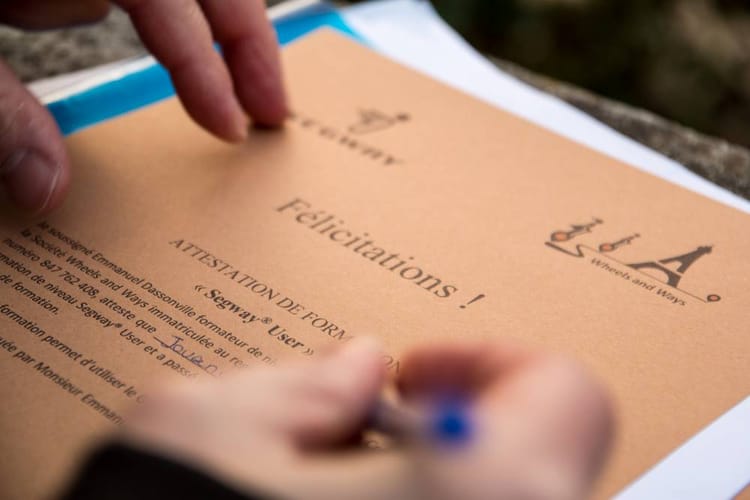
x: 687, y: 60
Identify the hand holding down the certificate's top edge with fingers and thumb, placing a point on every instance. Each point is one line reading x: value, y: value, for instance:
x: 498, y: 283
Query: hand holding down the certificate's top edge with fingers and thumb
x: 34, y: 167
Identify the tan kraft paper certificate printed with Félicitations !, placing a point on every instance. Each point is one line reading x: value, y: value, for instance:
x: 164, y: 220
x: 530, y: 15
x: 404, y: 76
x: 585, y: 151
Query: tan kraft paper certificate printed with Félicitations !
x: 389, y: 206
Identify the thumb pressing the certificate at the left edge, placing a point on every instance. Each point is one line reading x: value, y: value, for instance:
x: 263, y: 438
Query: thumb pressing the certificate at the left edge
x: 34, y: 167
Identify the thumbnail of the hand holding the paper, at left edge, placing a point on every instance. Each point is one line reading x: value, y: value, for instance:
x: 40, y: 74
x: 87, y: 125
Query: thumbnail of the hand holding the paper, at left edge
x: 29, y: 179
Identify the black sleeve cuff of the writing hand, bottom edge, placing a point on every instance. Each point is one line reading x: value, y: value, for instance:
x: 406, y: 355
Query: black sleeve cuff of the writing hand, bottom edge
x: 119, y: 472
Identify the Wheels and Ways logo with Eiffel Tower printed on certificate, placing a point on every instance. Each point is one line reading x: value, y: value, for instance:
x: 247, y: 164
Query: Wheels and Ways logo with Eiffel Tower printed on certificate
x: 667, y: 271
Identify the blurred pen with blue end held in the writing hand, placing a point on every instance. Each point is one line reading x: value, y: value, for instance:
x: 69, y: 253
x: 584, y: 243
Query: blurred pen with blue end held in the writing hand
x: 444, y: 423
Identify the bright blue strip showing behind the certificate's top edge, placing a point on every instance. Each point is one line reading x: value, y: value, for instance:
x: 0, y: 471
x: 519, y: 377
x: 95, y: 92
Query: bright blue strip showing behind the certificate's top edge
x: 153, y: 84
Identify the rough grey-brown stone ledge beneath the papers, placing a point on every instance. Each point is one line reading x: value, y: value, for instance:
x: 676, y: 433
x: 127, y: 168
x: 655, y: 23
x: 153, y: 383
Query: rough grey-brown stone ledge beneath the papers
x: 37, y: 55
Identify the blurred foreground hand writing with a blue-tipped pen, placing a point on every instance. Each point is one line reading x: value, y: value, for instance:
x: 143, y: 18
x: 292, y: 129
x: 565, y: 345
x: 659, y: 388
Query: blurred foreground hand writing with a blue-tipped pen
x: 542, y: 426
